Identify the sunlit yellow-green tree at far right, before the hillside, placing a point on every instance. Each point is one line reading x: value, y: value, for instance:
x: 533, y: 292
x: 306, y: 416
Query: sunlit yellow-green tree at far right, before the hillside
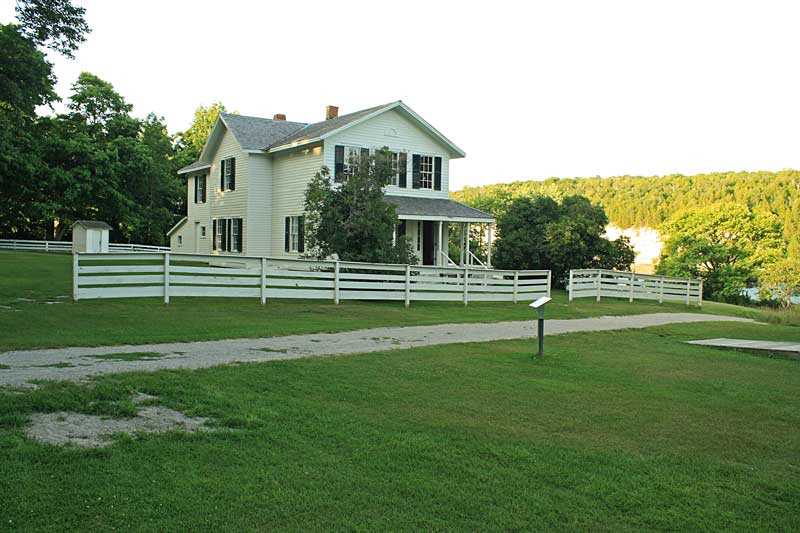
x: 724, y: 244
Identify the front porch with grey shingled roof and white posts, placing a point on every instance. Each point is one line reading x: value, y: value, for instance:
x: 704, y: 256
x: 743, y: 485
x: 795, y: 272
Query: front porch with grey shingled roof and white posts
x: 429, y: 222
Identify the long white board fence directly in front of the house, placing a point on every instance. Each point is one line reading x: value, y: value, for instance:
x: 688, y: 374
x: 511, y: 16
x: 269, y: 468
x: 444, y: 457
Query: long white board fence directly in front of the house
x: 166, y: 275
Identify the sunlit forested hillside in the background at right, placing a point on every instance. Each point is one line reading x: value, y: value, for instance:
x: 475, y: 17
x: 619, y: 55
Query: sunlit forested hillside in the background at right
x: 650, y: 201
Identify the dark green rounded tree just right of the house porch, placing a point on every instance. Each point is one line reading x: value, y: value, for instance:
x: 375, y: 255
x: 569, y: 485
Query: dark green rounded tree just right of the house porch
x: 540, y: 233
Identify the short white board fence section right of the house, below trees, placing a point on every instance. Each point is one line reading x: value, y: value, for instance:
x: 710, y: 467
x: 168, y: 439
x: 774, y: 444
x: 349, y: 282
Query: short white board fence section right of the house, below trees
x: 615, y: 284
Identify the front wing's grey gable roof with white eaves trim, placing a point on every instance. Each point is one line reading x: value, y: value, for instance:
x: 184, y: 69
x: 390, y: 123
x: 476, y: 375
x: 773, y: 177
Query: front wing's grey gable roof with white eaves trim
x: 320, y: 130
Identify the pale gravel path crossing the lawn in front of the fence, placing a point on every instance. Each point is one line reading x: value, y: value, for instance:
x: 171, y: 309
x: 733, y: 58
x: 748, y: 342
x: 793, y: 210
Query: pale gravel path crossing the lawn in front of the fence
x: 76, y: 364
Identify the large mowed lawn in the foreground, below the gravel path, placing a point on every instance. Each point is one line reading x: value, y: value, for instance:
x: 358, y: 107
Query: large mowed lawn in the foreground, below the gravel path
x: 625, y: 430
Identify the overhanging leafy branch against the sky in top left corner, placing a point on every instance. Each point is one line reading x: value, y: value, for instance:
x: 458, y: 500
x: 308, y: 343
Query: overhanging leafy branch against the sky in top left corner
x: 55, y: 24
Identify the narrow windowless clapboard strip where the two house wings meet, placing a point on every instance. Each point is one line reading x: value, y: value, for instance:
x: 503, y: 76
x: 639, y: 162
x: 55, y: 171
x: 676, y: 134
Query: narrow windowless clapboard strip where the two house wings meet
x: 259, y: 204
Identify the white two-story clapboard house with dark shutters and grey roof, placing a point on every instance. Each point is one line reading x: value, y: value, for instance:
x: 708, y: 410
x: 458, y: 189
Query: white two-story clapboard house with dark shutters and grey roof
x: 246, y: 193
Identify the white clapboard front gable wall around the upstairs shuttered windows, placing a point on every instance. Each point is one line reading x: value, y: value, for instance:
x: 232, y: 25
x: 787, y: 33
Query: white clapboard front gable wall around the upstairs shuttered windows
x: 393, y: 130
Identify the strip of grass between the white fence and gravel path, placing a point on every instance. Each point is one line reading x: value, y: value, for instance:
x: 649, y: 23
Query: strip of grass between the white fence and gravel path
x: 31, y: 280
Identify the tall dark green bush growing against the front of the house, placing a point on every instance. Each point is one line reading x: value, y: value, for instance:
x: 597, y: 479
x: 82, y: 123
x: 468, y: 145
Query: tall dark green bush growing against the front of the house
x: 352, y: 220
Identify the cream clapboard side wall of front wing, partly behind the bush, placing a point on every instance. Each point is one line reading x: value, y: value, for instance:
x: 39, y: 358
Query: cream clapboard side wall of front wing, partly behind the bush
x: 292, y: 171
